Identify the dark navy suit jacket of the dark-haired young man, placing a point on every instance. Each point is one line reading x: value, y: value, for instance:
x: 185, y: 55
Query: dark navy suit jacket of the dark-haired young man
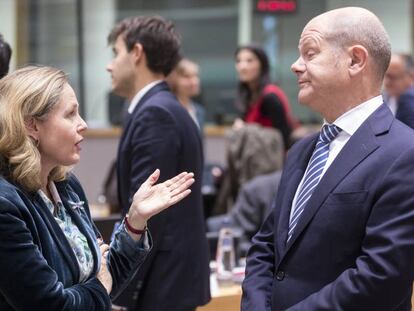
x: 161, y: 134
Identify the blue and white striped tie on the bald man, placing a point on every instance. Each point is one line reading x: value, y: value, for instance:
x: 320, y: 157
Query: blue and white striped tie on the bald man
x: 313, y: 173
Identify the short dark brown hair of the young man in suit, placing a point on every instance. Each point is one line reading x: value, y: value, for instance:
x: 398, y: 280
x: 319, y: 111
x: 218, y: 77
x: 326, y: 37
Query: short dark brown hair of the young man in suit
x: 160, y: 41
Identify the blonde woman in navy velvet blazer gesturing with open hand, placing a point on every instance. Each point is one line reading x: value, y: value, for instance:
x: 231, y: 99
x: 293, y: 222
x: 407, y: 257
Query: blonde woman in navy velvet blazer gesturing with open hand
x: 51, y: 256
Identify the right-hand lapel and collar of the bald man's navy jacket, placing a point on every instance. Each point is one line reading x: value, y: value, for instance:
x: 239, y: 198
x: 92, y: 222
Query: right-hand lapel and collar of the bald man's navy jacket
x: 358, y: 148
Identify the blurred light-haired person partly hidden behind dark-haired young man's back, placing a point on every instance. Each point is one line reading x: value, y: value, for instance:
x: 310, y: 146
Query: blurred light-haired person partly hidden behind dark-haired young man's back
x: 184, y: 82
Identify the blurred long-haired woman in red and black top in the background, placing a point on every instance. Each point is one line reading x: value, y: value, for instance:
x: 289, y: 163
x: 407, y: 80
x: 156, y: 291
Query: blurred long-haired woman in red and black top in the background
x: 259, y: 100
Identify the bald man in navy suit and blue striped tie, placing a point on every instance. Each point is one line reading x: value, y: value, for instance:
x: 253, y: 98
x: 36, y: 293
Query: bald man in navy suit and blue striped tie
x: 341, y: 232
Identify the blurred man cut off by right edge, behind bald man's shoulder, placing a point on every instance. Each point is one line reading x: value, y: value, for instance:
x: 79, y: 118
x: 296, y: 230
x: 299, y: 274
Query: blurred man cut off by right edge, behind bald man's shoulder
x: 399, y: 87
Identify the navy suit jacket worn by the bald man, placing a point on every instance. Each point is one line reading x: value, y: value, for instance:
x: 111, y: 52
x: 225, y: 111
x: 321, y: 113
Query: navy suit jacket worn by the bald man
x: 353, y: 247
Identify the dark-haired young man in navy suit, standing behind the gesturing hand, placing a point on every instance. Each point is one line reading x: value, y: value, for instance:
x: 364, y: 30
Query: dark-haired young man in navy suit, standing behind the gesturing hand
x: 159, y: 133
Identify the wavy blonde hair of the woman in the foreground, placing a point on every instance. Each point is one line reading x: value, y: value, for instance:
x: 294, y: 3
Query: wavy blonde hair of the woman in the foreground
x: 27, y: 94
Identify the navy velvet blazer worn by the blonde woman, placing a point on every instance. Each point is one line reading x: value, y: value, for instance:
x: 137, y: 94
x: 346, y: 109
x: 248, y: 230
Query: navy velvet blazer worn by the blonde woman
x: 38, y: 268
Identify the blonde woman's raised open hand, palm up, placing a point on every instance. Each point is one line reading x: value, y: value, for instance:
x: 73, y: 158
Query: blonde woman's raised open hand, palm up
x: 150, y: 199
